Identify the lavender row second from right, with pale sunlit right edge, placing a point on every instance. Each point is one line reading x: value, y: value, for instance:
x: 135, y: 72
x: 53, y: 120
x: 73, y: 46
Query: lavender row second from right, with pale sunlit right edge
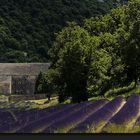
x: 97, y: 120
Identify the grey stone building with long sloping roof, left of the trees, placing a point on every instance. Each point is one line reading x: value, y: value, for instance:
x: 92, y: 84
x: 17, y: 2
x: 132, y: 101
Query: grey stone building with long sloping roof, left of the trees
x: 20, y: 78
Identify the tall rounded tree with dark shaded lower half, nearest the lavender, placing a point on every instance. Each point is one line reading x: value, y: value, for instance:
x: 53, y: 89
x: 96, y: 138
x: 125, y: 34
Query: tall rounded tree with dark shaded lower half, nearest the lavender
x: 71, y: 62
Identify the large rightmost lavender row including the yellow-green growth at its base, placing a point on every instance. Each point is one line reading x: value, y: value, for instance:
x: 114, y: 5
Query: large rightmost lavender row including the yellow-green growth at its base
x: 126, y: 118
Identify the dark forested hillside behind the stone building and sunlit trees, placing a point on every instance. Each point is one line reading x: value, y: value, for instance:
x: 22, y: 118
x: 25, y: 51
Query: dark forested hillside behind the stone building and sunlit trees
x: 28, y: 27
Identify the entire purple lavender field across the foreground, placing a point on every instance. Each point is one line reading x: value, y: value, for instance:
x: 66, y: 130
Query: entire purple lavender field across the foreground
x: 103, y: 116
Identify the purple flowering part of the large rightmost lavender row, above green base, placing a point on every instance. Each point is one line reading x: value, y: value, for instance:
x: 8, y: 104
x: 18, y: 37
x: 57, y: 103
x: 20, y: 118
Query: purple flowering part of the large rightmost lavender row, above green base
x: 129, y: 114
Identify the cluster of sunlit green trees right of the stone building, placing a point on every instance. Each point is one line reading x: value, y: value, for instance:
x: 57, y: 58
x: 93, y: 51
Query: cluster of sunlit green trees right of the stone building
x: 100, y: 55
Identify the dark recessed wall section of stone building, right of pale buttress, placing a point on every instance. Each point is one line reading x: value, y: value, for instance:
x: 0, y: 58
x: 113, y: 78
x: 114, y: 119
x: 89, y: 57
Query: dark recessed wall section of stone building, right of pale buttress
x: 23, y: 85
